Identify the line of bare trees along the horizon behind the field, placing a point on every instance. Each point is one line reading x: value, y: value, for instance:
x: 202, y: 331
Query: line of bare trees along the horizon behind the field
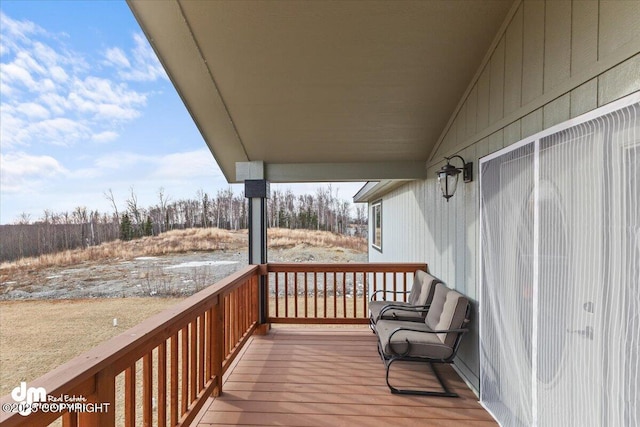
x: 58, y: 231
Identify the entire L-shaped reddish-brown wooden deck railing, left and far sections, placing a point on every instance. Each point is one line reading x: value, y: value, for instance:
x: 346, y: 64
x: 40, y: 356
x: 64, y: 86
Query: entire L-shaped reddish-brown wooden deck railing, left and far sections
x: 160, y: 372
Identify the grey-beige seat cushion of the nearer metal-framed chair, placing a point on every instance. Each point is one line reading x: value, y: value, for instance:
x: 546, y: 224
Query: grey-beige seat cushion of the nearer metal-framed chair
x: 422, y: 344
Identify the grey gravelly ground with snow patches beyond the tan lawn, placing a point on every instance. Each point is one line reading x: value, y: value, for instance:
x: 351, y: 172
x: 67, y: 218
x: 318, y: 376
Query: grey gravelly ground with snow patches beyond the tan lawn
x: 173, y: 275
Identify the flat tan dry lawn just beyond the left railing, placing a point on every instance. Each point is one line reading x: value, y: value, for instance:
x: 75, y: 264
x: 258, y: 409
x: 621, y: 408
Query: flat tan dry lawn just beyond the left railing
x: 37, y: 336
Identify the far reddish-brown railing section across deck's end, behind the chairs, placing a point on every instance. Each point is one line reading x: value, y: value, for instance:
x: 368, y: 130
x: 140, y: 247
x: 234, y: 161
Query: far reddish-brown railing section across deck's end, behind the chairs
x: 332, y: 293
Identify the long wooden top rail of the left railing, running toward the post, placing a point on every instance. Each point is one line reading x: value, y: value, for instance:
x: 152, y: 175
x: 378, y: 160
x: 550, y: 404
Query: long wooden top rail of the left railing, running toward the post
x: 133, y: 343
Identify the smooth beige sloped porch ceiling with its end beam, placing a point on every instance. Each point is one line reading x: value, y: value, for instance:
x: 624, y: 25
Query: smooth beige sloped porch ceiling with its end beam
x: 321, y: 91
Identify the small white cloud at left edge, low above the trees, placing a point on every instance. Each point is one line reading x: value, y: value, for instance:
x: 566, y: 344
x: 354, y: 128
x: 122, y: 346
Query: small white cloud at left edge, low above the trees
x: 23, y: 173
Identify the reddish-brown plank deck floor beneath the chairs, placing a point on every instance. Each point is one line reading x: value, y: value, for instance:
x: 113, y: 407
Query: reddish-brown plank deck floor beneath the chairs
x: 332, y: 377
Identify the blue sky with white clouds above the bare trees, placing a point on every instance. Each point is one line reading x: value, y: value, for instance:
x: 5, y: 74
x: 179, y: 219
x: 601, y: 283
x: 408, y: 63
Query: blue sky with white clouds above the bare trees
x: 86, y: 108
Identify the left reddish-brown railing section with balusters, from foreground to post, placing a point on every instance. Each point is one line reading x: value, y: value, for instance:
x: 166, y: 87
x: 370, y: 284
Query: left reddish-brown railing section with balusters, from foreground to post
x: 158, y: 373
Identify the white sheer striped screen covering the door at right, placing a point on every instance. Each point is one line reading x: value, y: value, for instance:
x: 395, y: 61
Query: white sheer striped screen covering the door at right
x: 560, y: 260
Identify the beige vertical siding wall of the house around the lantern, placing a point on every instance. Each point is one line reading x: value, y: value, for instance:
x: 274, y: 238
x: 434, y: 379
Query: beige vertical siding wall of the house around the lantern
x: 553, y: 60
